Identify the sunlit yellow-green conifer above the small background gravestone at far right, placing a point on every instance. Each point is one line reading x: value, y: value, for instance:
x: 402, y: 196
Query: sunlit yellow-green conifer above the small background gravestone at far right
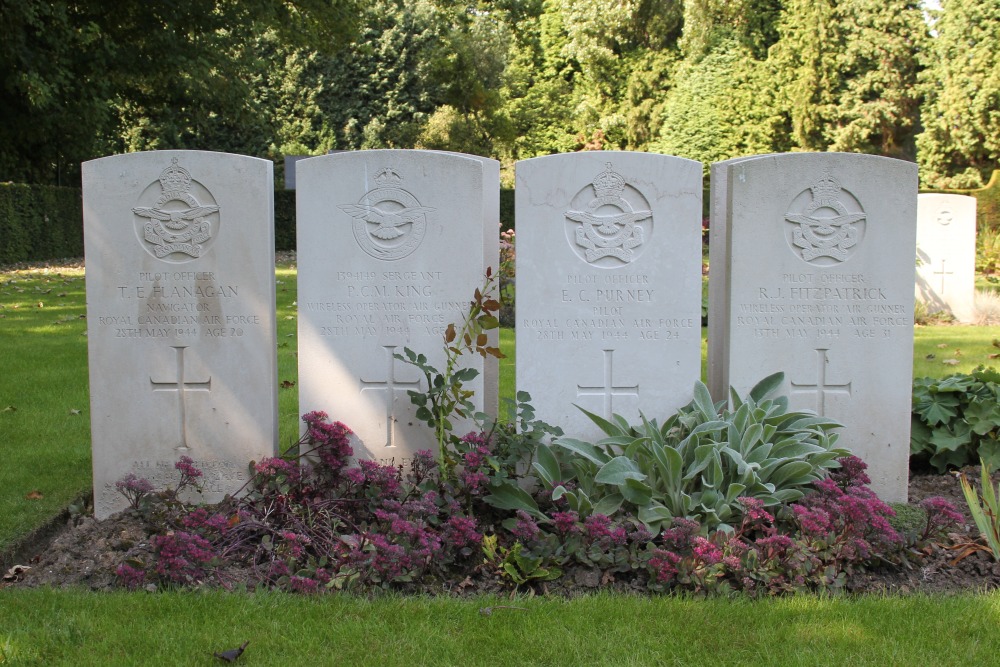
x: 960, y: 144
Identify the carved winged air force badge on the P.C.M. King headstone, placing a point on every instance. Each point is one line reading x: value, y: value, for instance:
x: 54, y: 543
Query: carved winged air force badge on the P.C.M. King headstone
x: 389, y: 222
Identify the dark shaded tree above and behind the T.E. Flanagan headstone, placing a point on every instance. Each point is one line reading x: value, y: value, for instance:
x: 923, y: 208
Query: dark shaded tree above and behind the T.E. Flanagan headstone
x: 83, y: 78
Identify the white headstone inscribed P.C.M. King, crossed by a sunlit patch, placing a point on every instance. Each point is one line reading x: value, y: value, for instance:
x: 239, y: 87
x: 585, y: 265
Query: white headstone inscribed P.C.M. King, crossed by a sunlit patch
x: 390, y: 250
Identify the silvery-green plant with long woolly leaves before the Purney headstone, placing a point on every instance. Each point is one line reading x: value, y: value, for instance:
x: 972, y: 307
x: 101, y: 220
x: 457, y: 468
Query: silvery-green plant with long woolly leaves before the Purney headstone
x: 698, y: 463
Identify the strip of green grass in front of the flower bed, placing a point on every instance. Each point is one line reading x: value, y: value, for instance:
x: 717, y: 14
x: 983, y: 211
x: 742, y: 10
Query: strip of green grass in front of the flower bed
x: 80, y: 628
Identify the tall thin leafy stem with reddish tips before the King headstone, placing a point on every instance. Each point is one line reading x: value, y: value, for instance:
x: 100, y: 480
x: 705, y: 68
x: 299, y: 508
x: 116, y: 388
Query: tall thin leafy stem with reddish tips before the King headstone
x: 447, y: 396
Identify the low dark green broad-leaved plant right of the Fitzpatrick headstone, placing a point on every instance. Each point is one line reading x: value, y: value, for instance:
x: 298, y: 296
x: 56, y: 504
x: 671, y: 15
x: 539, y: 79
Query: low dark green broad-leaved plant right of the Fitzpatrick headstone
x: 956, y: 419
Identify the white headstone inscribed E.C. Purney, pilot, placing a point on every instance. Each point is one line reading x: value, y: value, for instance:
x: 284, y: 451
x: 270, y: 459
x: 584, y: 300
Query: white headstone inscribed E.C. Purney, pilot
x: 608, y: 285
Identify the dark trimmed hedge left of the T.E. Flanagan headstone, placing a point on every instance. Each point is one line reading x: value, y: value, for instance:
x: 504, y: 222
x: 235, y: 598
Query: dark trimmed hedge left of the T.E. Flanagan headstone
x: 39, y: 222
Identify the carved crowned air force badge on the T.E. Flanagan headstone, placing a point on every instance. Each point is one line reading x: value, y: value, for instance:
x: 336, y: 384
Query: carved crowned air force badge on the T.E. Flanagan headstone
x: 177, y: 222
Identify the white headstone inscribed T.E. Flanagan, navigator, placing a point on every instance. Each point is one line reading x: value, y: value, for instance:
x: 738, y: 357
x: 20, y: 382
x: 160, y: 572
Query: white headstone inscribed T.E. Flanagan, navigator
x: 180, y: 312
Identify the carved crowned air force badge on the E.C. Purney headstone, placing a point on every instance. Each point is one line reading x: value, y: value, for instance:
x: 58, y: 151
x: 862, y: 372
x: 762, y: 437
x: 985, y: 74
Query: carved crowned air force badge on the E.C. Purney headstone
x: 609, y: 225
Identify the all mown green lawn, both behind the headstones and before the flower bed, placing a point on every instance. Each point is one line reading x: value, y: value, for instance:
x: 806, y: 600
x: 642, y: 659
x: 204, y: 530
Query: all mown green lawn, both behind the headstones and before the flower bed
x: 44, y: 433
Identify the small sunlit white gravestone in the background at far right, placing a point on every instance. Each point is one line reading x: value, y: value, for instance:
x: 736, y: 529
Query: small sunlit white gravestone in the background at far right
x: 946, y: 248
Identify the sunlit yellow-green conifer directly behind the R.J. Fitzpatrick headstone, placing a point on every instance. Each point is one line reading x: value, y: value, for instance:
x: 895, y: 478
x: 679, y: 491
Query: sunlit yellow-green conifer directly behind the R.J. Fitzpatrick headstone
x: 847, y: 73
